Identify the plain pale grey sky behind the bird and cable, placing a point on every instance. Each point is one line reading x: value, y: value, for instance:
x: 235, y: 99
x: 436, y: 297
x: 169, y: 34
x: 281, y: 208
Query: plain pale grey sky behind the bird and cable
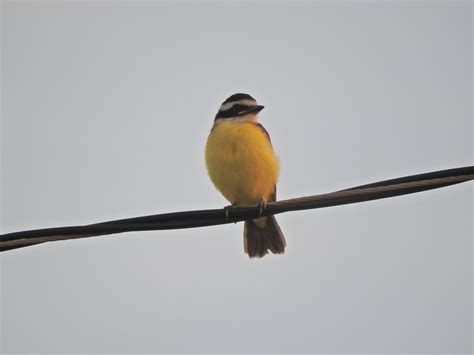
x: 106, y: 107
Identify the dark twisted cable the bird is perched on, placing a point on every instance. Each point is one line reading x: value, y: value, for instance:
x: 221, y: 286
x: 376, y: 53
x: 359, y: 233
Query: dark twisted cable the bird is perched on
x: 201, y: 218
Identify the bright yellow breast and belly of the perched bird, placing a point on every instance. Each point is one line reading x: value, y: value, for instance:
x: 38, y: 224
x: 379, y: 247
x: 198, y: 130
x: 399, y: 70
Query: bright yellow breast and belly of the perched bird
x: 241, y: 162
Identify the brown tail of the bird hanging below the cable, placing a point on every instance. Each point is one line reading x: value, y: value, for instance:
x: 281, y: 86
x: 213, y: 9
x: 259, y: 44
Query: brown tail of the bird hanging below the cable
x: 261, y: 235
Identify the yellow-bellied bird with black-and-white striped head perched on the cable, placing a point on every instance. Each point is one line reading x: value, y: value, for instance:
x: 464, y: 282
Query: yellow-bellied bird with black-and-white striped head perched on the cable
x: 243, y: 166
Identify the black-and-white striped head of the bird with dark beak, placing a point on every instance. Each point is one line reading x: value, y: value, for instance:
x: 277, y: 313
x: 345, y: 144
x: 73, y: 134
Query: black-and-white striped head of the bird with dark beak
x: 239, y: 107
